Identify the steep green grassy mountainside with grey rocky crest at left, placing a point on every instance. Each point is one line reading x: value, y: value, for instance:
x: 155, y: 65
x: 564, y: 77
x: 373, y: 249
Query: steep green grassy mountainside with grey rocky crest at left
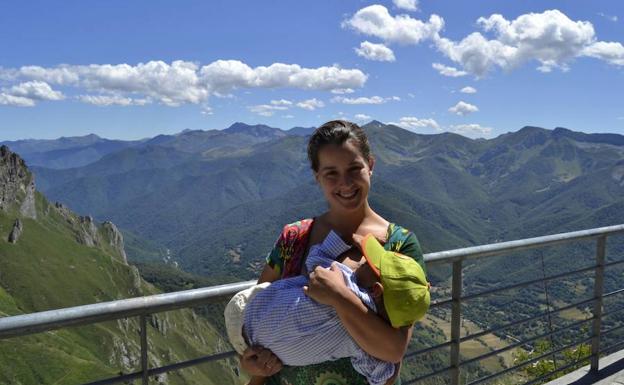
x: 44, y: 244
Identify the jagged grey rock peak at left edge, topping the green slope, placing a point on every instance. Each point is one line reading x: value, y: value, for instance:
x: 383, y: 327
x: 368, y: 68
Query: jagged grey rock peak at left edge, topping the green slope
x: 17, y: 184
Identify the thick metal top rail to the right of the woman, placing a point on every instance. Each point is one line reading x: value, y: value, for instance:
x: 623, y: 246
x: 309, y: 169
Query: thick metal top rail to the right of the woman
x: 518, y: 245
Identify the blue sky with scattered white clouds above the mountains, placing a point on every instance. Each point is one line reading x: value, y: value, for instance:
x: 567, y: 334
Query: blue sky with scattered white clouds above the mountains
x: 136, y: 69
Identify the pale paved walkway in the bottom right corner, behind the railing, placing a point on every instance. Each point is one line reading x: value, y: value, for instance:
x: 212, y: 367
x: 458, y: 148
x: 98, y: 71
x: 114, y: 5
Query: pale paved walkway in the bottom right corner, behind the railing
x: 611, y: 372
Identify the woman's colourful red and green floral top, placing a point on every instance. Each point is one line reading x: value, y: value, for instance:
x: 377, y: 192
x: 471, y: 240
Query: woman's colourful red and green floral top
x: 286, y: 258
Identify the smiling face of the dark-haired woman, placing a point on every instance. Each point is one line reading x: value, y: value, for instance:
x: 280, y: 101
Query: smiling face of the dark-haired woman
x: 344, y: 176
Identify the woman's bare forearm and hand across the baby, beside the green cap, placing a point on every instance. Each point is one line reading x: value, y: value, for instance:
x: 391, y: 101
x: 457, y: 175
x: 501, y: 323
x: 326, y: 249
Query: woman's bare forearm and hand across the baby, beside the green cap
x: 371, y: 332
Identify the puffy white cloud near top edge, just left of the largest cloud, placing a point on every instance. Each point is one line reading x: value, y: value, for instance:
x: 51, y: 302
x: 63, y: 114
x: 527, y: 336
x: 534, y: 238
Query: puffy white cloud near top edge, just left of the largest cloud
x: 375, y: 20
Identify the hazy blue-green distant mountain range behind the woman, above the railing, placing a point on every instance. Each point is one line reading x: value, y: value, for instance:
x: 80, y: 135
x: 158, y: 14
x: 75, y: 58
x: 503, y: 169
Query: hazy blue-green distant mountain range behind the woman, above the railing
x: 217, y: 199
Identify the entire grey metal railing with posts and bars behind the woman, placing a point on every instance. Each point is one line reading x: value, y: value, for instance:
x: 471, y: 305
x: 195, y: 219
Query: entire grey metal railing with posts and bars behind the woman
x: 143, y: 306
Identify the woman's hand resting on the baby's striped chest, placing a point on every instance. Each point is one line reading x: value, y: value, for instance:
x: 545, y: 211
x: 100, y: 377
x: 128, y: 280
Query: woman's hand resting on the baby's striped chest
x: 327, y: 286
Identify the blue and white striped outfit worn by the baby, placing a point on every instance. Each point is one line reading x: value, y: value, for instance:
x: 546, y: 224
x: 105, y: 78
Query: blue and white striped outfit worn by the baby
x: 301, y: 331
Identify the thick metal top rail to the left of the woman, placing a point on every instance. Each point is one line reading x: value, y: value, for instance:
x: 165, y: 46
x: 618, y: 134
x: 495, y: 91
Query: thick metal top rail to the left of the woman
x: 105, y: 311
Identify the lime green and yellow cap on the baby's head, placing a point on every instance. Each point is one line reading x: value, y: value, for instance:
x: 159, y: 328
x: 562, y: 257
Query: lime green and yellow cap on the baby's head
x: 406, y: 290
